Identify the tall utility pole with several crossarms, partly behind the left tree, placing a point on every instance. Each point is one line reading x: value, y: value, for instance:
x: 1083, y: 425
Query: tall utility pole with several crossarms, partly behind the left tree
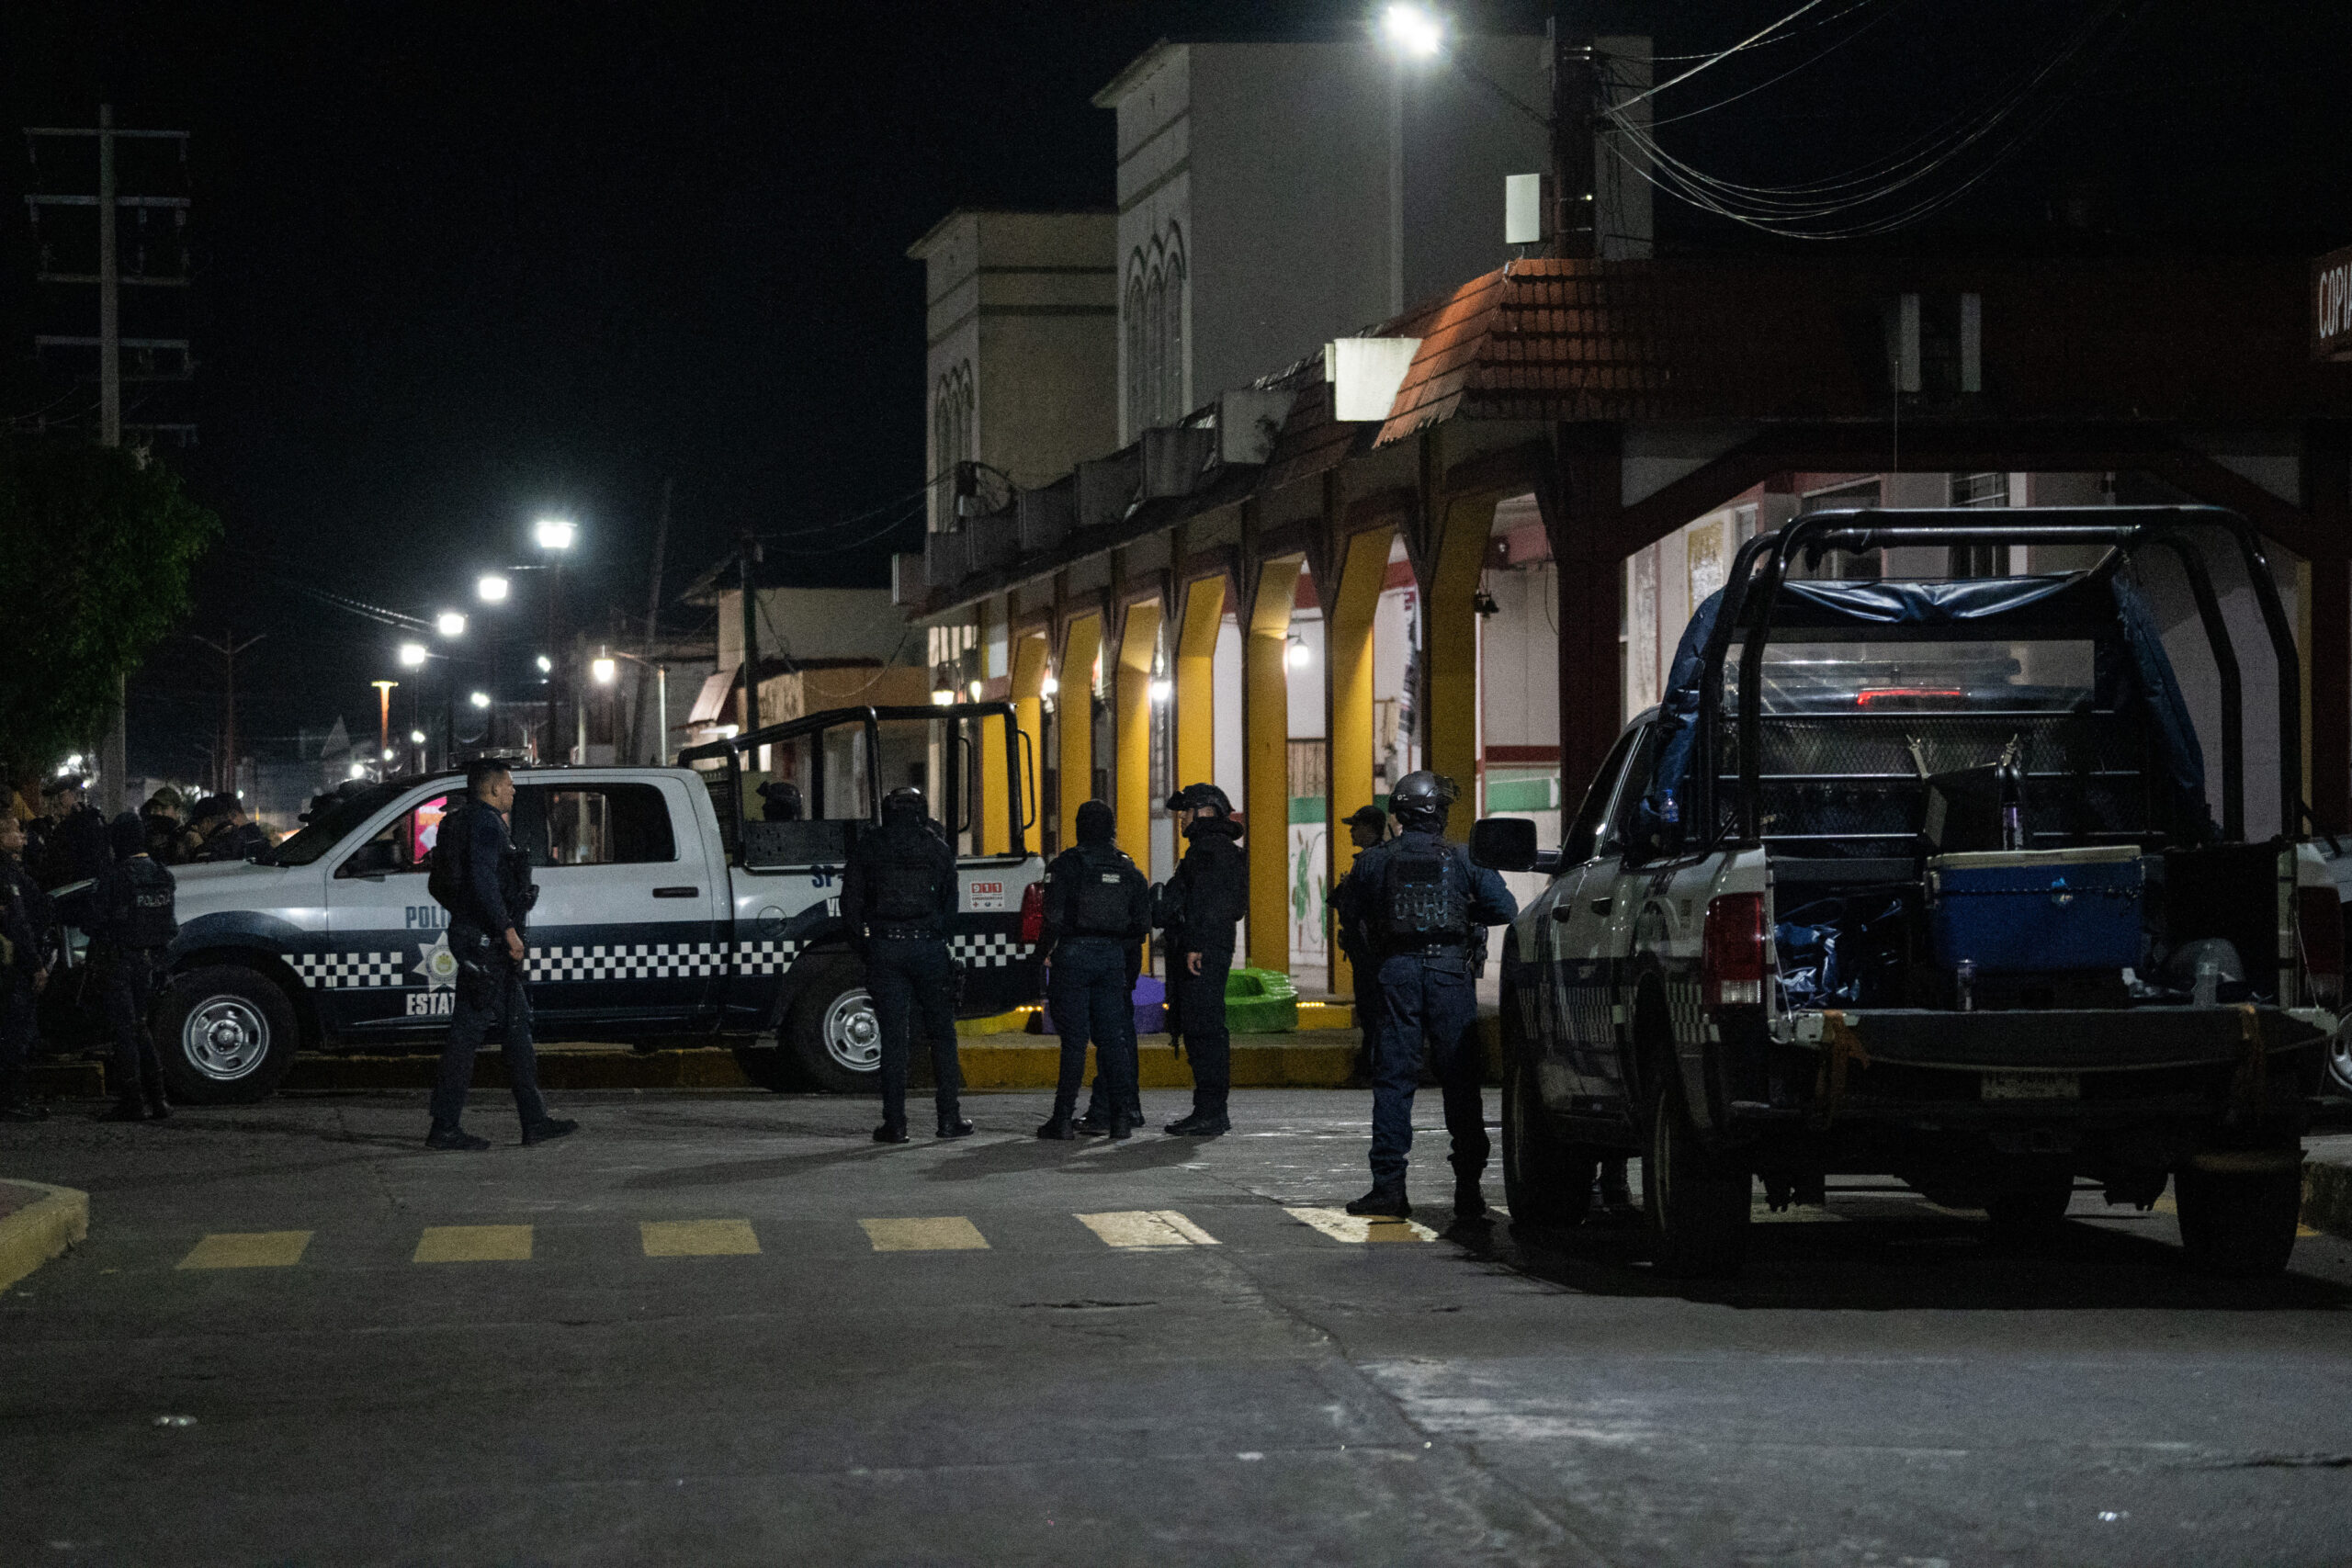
x: 114, y: 751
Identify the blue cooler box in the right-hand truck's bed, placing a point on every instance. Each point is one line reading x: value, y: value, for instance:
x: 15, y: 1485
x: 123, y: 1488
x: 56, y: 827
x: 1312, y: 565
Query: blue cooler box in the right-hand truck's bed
x: 2036, y: 911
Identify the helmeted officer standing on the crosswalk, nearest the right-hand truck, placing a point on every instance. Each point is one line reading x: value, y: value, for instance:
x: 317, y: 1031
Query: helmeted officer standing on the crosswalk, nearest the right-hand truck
x: 1422, y: 902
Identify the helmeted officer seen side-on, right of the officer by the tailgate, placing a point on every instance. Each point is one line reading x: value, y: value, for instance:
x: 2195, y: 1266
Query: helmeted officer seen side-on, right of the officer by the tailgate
x: 1201, y: 909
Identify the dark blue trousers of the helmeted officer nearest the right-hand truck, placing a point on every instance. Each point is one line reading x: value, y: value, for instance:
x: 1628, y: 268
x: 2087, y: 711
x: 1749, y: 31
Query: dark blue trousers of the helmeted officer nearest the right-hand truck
x: 1426, y: 1000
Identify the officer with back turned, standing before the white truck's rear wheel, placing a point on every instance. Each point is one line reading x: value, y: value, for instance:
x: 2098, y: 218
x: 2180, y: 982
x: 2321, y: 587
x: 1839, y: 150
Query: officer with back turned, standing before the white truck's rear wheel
x: 897, y: 899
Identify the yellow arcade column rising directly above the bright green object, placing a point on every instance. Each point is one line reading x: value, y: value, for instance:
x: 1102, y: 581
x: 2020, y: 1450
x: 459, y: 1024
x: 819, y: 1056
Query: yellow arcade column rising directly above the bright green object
x: 1267, y: 763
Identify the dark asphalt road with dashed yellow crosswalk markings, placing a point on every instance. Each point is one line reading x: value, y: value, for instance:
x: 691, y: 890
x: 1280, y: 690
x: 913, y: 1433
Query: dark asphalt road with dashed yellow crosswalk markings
x: 298, y: 1336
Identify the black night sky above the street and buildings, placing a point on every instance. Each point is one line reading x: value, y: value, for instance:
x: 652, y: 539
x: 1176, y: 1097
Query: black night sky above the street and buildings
x: 460, y: 264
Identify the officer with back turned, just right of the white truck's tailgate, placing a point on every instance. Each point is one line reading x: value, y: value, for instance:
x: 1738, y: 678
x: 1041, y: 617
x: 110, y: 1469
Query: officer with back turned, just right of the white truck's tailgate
x: 1097, y: 913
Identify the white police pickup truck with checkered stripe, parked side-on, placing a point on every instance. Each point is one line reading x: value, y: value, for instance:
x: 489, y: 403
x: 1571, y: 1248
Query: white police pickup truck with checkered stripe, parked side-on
x: 667, y: 909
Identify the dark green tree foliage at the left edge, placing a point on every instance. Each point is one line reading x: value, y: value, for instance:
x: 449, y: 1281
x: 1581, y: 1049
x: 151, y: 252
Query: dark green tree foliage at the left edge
x: 95, y: 556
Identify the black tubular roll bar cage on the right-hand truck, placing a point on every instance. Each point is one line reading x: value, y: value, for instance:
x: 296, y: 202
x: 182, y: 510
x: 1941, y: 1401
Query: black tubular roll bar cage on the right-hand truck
x: 1763, y: 565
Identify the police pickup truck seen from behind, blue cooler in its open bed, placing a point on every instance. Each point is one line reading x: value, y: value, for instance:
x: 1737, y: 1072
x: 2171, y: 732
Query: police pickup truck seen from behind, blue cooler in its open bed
x: 1920, y: 878
